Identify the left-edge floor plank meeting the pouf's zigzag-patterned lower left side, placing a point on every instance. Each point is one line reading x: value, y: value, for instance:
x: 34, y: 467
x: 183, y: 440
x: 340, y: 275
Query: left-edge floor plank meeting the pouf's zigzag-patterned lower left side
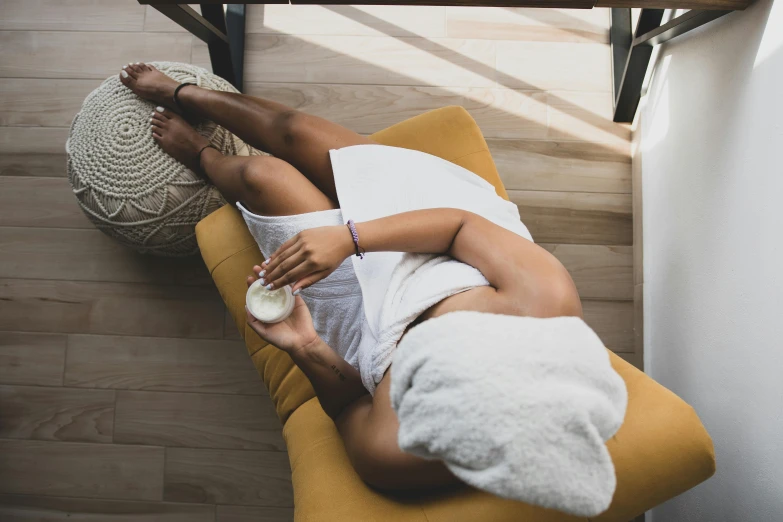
x: 39, y: 202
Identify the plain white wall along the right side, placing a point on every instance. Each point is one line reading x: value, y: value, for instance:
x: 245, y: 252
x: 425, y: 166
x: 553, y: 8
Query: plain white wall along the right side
x: 712, y: 168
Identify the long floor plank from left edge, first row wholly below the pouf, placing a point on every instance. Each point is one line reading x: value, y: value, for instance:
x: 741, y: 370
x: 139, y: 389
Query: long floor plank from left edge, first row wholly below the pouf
x: 110, y: 308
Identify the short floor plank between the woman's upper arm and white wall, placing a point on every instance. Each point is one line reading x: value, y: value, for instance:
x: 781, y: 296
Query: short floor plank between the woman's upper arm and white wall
x: 599, y: 272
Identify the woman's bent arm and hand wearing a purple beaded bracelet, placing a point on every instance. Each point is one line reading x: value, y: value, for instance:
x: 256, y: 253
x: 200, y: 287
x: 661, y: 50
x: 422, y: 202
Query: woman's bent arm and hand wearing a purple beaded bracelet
x: 524, y: 274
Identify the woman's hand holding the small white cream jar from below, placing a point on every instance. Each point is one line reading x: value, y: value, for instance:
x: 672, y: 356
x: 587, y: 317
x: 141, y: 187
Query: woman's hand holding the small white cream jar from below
x: 293, y: 334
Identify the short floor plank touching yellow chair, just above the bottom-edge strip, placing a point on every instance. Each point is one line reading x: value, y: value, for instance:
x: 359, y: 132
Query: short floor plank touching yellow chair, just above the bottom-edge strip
x: 259, y: 478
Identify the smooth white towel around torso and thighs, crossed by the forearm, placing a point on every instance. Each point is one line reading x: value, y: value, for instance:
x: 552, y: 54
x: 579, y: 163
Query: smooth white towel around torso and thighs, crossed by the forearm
x: 375, y: 181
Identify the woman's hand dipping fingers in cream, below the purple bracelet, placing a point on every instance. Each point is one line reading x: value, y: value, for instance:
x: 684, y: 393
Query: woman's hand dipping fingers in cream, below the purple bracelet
x: 309, y: 256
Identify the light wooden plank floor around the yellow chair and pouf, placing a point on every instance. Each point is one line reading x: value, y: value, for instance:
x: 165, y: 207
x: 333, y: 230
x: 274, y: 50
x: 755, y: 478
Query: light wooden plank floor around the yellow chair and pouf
x: 124, y: 392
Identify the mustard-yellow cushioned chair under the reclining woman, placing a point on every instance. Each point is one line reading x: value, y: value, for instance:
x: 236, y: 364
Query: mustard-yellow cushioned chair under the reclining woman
x: 661, y: 450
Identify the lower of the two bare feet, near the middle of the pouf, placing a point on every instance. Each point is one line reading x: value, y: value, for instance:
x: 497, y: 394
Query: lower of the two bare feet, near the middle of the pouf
x: 177, y: 137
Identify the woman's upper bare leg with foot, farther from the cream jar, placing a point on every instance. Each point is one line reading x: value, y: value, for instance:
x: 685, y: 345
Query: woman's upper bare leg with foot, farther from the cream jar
x: 300, y: 139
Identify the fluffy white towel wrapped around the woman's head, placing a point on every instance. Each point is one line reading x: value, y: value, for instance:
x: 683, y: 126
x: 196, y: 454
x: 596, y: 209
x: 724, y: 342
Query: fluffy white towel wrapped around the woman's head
x: 516, y: 406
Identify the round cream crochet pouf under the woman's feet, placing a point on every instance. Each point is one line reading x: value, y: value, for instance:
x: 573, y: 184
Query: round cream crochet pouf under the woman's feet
x: 126, y: 184
